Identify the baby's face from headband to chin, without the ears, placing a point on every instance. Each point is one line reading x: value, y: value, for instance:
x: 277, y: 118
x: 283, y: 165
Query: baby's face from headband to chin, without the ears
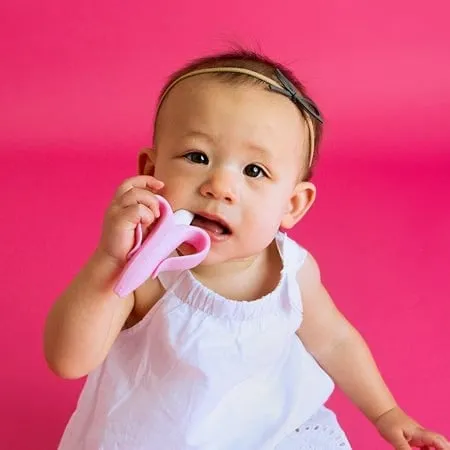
x: 232, y: 155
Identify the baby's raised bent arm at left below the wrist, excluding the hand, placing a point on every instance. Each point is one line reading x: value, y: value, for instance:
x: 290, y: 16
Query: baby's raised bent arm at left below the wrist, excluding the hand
x: 86, y: 319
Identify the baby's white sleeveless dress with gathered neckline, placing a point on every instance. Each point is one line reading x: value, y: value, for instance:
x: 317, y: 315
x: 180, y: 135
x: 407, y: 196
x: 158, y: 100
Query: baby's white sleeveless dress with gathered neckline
x: 201, y: 372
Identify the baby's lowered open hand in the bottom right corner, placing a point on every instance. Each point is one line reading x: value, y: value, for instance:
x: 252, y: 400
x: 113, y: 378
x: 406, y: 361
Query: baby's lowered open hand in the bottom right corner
x: 403, y: 433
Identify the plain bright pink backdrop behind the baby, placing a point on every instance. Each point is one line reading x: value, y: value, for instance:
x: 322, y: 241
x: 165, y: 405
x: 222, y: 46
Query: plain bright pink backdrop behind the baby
x: 77, y: 87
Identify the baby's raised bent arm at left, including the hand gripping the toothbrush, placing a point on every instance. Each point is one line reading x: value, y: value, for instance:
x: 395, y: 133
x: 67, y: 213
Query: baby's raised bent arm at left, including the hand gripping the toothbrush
x: 86, y: 319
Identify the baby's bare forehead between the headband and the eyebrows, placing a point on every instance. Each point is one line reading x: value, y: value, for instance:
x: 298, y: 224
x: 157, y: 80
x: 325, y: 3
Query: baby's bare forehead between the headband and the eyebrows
x: 213, y: 100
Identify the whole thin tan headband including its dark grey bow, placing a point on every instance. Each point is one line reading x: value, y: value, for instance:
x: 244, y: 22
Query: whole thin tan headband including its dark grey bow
x: 284, y: 87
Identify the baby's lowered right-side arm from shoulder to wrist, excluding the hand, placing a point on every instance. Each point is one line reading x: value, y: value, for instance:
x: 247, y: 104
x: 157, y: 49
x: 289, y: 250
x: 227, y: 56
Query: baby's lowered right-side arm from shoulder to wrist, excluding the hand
x: 339, y: 348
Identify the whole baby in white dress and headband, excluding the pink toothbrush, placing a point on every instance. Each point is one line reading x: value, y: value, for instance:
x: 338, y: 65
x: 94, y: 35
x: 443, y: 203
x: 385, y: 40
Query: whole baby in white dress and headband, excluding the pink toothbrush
x: 241, y: 352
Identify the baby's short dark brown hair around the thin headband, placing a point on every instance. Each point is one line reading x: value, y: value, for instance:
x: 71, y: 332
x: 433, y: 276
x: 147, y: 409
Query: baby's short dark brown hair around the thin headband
x: 256, y: 62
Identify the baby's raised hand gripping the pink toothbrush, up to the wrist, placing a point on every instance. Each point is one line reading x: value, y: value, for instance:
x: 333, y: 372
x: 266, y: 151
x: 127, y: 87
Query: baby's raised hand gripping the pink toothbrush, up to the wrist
x: 133, y: 203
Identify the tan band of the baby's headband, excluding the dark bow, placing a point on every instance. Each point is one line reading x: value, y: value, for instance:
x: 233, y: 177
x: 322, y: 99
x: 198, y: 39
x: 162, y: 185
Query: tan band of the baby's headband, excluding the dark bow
x: 250, y: 73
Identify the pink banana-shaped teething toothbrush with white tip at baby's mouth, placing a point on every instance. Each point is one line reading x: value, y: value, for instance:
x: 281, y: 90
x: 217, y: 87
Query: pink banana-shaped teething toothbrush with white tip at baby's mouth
x: 151, y: 257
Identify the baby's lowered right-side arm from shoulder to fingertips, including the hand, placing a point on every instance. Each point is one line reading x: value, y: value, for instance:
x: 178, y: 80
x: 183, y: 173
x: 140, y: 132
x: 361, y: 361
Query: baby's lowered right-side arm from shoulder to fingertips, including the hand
x: 344, y: 355
